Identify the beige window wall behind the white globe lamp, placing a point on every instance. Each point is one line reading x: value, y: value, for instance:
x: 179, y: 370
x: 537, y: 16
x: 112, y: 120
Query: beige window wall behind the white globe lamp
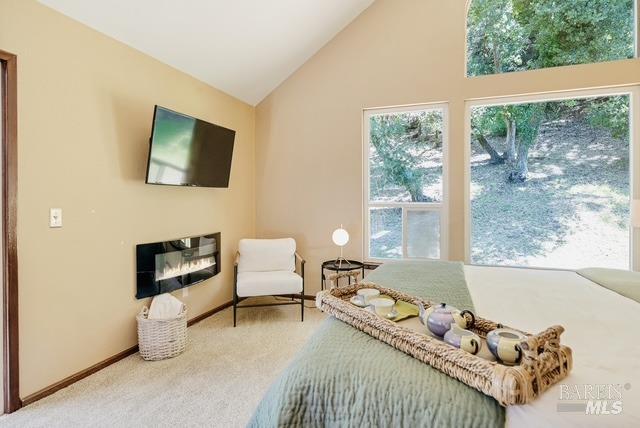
x: 398, y: 52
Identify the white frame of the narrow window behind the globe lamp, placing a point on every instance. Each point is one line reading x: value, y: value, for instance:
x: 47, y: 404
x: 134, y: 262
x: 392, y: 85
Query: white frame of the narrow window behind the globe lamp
x: 441, y: 207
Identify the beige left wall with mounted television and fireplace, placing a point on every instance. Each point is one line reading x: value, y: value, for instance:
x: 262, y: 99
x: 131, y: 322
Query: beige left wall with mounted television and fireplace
x: 85, y: 110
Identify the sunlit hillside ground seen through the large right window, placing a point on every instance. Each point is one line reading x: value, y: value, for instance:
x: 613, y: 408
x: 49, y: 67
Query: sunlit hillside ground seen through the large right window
x: 572, y: 210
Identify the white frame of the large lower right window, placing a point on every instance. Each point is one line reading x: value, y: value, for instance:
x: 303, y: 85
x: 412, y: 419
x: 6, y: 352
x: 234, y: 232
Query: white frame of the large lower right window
x: 633, y: 91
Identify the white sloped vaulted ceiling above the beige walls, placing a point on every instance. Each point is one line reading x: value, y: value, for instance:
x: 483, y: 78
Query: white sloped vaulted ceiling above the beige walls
x: 243, y: 47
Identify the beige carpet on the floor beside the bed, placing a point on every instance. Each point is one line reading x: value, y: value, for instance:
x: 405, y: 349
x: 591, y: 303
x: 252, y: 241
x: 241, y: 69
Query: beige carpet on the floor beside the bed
x: 218, y: 381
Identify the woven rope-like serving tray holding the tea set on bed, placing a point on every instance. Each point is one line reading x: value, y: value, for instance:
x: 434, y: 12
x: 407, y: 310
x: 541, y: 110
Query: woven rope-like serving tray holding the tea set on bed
x: 544, y: 362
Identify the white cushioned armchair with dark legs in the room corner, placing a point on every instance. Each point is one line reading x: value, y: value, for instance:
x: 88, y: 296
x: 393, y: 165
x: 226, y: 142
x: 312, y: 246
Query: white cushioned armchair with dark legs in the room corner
x: 267, y: 267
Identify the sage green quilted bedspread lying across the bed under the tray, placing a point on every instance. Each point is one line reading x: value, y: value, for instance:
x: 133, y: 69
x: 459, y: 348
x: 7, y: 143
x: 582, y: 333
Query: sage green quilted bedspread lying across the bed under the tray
x: 344, y: 377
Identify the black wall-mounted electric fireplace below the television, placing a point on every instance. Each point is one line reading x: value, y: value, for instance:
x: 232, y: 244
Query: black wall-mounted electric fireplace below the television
x: 167, y: 266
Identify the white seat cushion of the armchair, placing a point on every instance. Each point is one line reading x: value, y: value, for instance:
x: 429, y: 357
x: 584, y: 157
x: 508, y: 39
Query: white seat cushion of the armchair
x: 273, y: 283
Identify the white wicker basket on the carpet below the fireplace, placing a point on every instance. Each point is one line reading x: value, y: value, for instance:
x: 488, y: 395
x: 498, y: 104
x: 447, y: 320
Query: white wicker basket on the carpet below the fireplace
x: 161, y: 339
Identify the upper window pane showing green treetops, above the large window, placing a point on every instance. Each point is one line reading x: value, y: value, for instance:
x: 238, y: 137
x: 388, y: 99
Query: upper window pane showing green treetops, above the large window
x: 517, y: 35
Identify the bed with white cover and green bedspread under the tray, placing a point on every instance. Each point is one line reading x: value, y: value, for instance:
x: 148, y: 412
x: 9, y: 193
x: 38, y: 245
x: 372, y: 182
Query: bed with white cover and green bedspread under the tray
x: 343, y: 377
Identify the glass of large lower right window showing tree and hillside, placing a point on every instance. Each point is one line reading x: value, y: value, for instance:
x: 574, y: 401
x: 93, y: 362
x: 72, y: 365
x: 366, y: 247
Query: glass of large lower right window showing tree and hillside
x: 550, y: 182
